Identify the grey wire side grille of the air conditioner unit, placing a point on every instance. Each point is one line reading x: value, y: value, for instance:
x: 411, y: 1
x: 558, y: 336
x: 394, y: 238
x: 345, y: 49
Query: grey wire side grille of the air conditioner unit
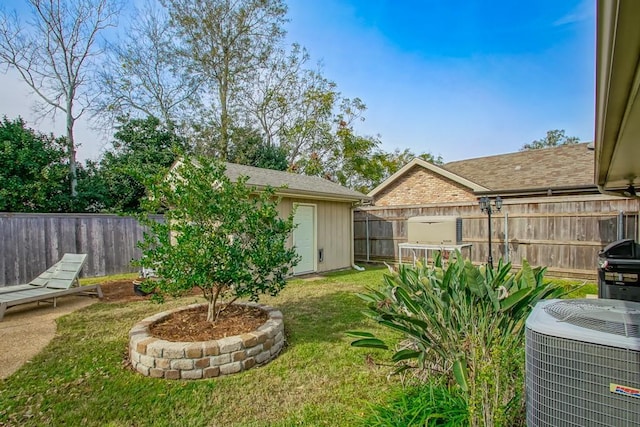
x: 568, y: 383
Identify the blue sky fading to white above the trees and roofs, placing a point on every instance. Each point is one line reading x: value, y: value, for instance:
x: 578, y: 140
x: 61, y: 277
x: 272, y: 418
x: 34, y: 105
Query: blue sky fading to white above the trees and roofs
x: 460, y: 79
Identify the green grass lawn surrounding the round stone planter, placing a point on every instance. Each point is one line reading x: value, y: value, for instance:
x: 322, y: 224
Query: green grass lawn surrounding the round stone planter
x: 80, y: 377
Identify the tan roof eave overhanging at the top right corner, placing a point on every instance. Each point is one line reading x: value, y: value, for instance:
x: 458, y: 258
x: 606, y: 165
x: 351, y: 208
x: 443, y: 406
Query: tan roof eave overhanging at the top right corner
x: 617, y: 100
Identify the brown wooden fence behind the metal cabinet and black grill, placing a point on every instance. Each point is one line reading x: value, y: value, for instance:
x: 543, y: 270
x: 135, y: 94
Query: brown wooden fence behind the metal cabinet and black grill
x: 561, y: 233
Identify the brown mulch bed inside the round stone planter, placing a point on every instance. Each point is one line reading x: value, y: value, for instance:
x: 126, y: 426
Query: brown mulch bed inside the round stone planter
x: 191, y: 325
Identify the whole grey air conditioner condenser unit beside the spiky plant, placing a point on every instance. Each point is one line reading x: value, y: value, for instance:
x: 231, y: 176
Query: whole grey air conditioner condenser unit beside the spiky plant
x: 583, y: 363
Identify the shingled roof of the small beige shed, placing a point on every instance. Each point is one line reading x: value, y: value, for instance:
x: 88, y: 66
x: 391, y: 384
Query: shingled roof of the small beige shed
x: 297, y: 185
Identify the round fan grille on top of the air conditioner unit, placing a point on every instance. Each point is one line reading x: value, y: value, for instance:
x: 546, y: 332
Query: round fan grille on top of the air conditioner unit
x: 598, y: 315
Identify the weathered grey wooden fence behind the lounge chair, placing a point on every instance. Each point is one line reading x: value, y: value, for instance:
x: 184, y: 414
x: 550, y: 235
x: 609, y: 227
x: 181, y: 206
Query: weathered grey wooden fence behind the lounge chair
x: 30, y: 243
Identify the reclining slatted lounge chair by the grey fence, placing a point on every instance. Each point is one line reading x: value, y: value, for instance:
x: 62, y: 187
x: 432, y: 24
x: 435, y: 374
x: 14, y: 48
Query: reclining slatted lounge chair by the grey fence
x: 59, y: 280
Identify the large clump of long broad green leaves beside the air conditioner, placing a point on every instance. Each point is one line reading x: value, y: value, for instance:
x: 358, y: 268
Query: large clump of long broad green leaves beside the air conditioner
x: 464, y: 323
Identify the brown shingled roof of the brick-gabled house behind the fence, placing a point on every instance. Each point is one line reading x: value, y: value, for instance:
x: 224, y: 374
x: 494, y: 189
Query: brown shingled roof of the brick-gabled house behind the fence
x: 556, y: 167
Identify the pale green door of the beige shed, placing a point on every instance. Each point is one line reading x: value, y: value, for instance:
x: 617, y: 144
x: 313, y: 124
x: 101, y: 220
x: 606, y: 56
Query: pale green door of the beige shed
x: 304, y: 238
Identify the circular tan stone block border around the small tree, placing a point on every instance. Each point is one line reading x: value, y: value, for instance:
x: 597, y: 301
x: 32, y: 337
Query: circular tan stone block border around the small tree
x: 158, y: 358
